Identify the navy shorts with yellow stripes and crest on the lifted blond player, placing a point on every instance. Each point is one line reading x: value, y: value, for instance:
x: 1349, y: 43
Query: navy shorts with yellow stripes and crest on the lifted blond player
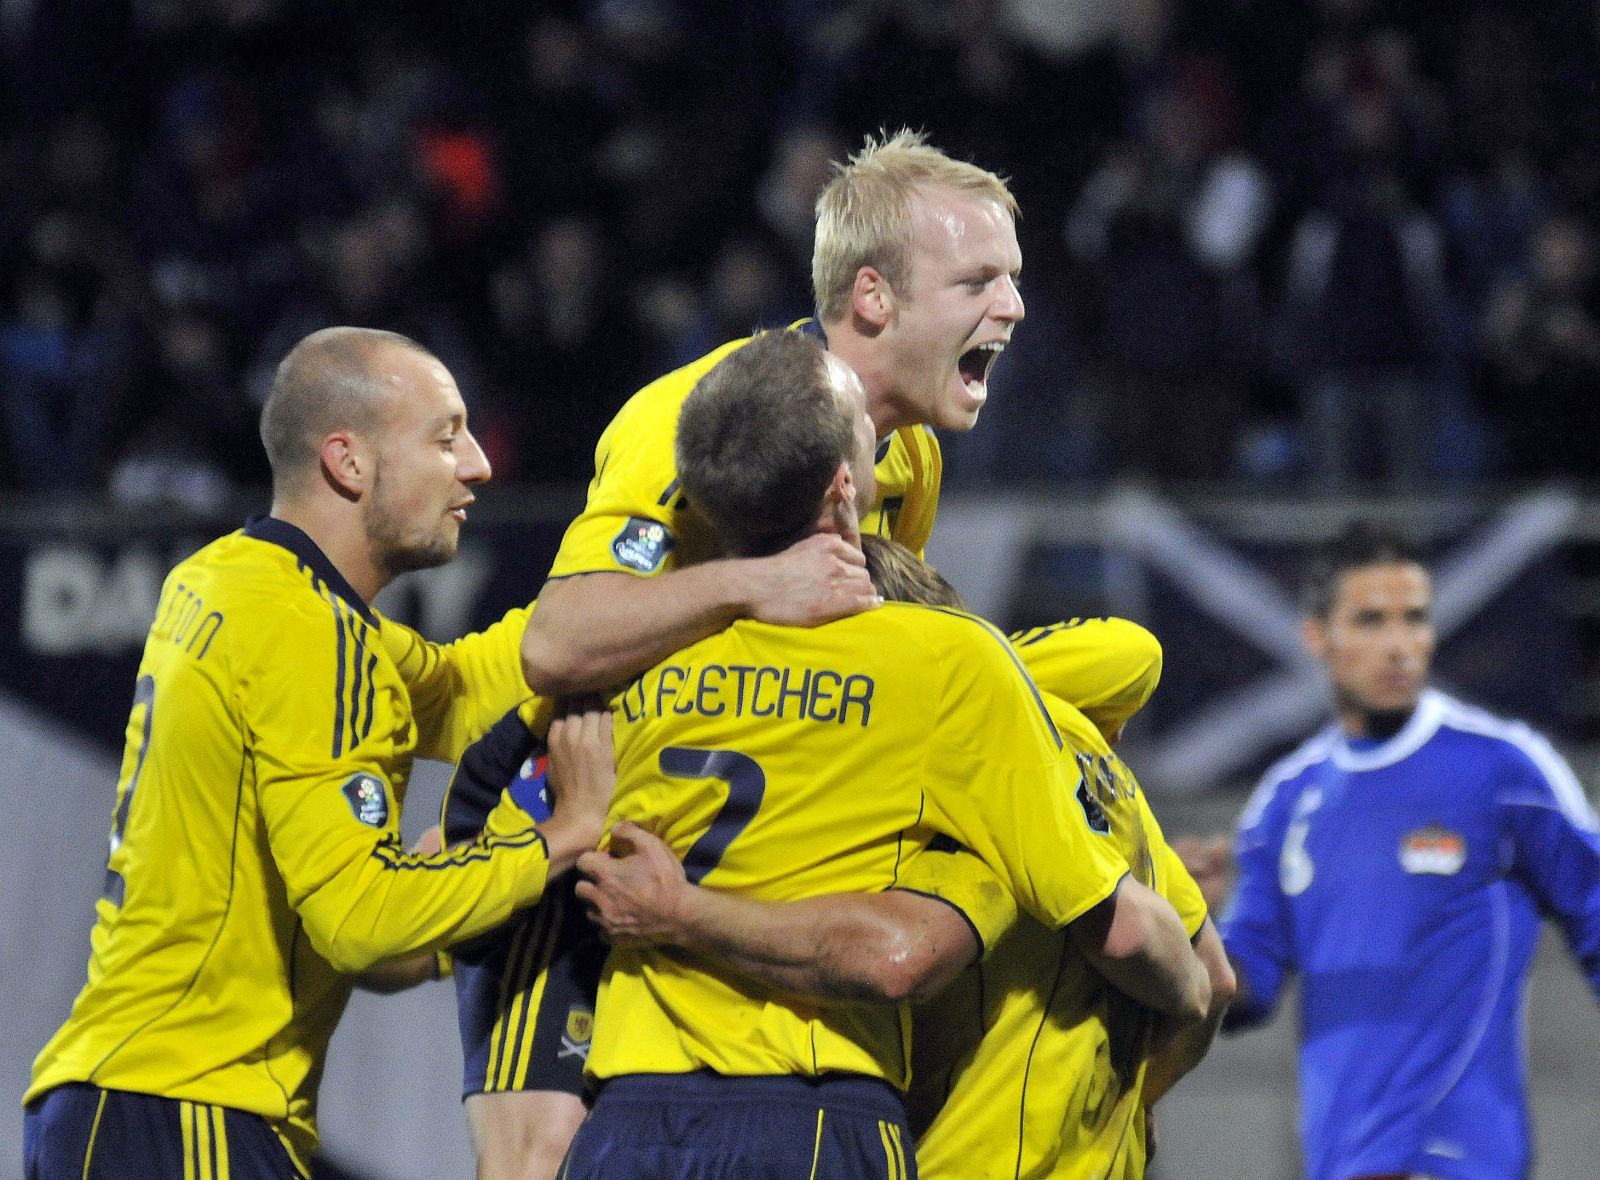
x: 526, y: 999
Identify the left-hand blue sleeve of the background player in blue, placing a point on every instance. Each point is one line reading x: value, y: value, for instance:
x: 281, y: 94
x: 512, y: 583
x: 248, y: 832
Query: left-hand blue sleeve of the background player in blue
x: 1255, y: 925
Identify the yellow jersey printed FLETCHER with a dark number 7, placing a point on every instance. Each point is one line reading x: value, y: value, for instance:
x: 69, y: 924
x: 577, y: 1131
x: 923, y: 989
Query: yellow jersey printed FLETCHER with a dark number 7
x: 788, y: 763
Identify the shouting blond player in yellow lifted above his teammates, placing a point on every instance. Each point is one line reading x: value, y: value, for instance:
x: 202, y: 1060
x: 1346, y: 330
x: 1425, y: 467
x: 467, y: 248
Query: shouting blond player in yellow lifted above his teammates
x: 916, y: 271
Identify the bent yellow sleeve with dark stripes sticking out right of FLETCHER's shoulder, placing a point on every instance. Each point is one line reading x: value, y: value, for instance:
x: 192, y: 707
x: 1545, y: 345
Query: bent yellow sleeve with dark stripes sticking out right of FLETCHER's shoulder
x: 1105, y: 668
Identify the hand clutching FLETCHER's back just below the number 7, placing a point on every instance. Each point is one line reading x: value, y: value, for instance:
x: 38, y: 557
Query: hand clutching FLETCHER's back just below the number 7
x: 636, y: 893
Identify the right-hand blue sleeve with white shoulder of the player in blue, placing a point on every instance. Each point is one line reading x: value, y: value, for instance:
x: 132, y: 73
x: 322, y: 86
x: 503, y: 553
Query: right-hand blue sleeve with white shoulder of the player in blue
x: 1556, y: 845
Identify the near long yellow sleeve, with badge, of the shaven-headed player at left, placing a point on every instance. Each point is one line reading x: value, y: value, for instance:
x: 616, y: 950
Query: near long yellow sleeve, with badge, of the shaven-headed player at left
x: 334, y: 826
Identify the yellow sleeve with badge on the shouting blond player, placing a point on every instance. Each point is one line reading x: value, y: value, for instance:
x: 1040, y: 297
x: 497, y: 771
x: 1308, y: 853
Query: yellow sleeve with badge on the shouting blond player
x: 634, y: 519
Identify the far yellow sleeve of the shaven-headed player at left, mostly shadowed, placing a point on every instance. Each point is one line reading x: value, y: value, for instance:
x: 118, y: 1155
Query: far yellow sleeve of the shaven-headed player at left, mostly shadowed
x: 460, y: 690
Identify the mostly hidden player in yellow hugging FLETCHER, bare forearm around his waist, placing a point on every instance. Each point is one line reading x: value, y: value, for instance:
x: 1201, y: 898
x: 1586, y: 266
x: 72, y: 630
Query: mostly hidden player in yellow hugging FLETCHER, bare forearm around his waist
x: 1030, y: 1066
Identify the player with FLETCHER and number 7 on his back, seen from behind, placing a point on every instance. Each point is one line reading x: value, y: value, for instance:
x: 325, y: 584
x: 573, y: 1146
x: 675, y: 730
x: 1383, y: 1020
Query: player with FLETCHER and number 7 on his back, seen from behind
x: 786, y: 763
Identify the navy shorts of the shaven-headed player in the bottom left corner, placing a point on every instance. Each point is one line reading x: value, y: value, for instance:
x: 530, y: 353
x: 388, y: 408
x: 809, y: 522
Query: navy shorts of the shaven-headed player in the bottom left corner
x: 84, y: 1133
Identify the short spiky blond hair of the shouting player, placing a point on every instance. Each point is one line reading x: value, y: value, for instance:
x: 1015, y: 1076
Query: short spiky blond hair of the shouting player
x: 863, y: 217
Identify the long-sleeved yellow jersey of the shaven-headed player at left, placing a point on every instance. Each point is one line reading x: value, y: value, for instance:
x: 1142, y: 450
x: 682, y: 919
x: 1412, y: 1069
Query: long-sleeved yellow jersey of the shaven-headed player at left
x: 255, y: 848
